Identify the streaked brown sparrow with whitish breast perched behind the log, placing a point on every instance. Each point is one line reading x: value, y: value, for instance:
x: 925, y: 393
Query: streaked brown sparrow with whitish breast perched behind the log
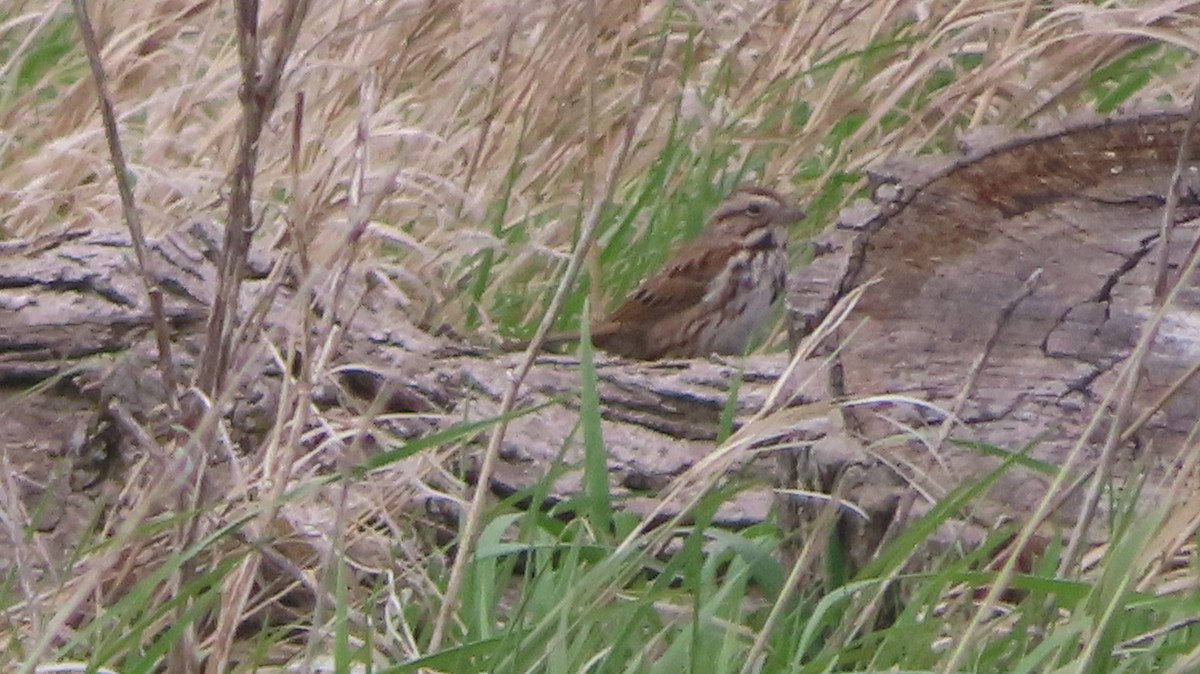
x: 716, y: 292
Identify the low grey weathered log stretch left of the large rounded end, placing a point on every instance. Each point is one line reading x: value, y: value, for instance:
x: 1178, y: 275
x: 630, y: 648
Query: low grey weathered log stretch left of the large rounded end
x: 75, y: 315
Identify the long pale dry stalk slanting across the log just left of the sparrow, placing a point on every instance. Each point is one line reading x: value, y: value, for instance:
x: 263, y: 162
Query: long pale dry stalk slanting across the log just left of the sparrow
x: 587, y: 236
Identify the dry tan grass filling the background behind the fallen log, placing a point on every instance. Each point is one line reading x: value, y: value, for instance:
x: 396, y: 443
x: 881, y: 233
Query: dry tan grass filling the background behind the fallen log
x: 501, y: 117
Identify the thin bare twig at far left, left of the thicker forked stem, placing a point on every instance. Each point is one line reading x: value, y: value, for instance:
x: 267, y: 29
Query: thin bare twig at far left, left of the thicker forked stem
x: 129, y: 207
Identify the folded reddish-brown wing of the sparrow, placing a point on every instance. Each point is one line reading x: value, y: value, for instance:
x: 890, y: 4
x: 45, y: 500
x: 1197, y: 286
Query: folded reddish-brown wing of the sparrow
x: 679, y: 287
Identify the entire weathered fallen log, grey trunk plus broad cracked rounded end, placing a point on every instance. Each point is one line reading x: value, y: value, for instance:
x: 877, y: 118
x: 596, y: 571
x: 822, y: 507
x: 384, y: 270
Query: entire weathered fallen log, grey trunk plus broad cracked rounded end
x: 952, y: 242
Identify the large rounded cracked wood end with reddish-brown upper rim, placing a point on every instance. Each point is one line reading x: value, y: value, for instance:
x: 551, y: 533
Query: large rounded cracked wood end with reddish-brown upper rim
x: 1013, y: 284
